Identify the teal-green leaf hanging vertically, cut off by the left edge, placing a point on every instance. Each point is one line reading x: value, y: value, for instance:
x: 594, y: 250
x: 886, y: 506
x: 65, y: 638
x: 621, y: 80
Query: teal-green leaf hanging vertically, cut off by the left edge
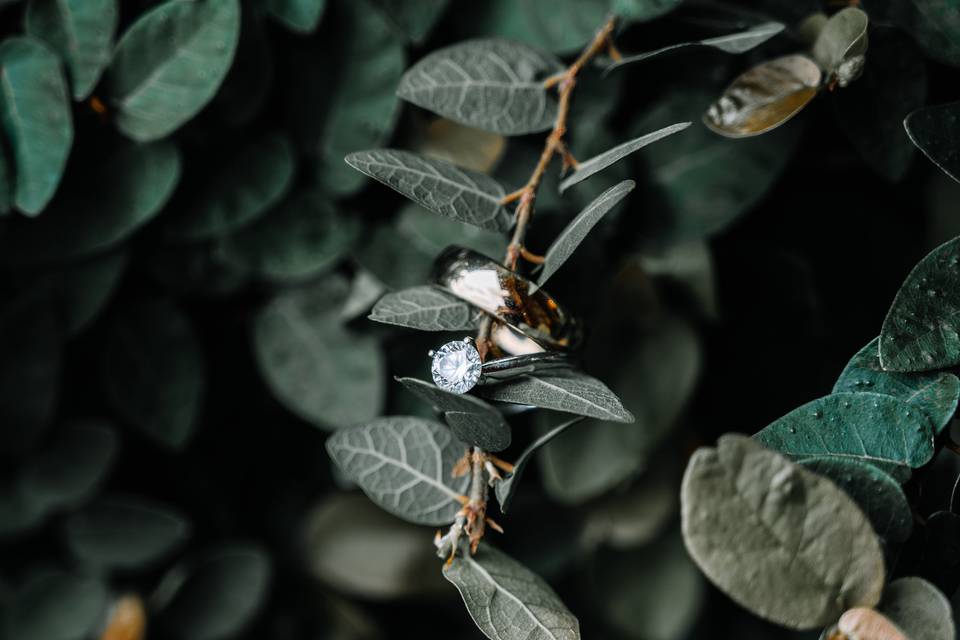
x: 35, y: 115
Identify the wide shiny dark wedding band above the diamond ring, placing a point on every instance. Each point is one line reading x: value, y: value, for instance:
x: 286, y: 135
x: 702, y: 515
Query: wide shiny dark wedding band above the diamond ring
x: 507, y: 296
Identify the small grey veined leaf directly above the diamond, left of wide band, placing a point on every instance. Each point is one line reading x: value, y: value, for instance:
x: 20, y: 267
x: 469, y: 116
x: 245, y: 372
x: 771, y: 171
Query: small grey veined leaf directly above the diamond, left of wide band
x: 426, y: 308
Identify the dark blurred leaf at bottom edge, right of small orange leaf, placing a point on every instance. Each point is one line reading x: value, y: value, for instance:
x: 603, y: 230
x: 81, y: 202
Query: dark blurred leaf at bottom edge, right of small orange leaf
x: 219, y: 594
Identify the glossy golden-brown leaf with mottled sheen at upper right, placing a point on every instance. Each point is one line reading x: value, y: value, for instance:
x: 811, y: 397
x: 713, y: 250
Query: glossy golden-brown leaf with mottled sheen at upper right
x: 764, y: 97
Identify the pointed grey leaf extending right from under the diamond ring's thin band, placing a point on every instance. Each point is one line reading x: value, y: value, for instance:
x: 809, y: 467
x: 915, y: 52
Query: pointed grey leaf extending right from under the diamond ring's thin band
x: 572, y: 392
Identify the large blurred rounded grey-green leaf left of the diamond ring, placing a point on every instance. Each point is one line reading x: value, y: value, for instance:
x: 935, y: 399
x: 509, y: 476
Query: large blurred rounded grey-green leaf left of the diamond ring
x: 318, y: 369
